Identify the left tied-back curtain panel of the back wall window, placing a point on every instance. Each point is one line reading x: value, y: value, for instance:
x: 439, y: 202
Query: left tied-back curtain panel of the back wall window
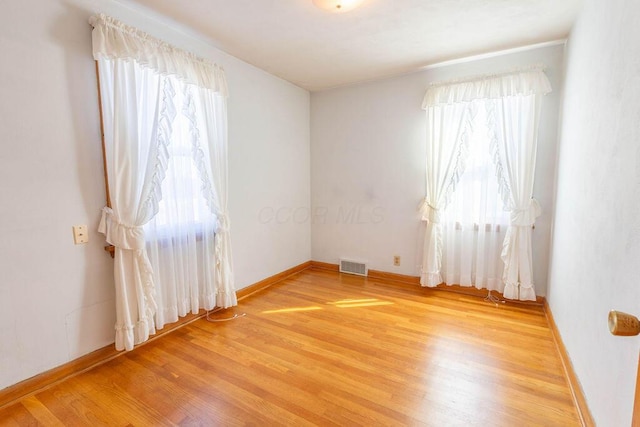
x: 447, y: 141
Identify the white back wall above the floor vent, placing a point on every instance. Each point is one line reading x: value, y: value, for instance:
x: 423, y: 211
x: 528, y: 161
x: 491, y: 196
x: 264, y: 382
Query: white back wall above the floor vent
x: 368, y: 164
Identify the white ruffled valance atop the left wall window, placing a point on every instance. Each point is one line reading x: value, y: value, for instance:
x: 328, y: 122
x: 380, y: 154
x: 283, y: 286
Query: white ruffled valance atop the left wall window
x: 114, y: 39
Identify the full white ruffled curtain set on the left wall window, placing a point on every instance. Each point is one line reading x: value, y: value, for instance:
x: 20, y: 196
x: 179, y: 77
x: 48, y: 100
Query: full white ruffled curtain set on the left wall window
x: 164, y: 213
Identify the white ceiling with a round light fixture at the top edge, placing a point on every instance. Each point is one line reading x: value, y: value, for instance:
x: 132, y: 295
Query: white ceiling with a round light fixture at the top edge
x: 316, y: 50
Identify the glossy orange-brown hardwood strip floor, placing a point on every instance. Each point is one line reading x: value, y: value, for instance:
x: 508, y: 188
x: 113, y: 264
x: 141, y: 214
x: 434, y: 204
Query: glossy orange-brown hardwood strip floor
x: 327, y: 349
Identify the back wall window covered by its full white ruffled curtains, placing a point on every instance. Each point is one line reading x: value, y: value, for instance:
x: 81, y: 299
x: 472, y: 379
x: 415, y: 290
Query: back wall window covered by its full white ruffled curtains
x: 512, y: 103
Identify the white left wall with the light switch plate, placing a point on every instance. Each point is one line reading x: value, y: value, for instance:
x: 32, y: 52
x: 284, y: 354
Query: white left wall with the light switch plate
x: 57, y: 299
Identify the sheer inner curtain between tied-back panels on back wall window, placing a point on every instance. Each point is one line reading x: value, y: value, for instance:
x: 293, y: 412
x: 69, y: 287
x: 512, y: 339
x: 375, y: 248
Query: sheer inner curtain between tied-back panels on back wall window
x: 475, y: 222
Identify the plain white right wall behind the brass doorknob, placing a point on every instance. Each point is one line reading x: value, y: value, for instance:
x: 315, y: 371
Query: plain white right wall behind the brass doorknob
x: 596, y: 243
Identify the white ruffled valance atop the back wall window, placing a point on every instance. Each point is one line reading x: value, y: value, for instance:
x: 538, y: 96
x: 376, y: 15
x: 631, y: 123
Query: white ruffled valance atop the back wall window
x: 519, y: 83
